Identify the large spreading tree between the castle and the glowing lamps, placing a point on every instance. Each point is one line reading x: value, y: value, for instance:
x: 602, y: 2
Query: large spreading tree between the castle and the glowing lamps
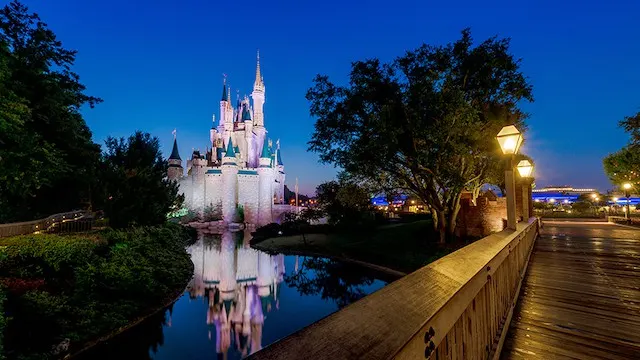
x: 423, y: 124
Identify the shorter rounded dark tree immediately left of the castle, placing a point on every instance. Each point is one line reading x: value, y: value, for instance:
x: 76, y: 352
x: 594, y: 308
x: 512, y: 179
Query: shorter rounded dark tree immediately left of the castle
x: 133, y: 178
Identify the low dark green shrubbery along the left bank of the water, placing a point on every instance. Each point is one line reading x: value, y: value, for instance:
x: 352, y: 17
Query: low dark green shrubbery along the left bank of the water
x: 81, y: 288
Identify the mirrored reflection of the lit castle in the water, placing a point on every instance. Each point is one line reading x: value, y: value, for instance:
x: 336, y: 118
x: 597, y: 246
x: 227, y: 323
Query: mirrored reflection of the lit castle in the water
x: 241, y: 286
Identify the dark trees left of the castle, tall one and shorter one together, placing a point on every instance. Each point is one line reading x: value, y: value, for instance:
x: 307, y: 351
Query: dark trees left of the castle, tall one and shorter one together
x: 48, y: 160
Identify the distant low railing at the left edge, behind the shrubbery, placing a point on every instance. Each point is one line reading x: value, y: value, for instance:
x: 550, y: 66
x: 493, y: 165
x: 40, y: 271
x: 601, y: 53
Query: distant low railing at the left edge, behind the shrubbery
x: 72, y: 221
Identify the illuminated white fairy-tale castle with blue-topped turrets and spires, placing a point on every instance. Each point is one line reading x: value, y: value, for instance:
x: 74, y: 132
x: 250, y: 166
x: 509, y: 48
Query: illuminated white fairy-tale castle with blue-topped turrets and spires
x: 241, y: 168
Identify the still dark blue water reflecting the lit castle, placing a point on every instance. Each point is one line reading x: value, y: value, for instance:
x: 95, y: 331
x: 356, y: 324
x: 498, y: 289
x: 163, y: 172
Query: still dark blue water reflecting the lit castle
x: 239, y: 301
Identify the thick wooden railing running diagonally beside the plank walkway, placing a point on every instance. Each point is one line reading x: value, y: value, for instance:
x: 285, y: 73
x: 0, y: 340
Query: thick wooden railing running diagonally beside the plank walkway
x: 458, y: 307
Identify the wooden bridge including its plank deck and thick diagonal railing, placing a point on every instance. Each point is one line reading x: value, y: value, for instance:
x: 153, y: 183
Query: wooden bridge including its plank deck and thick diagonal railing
x: 568, y: 290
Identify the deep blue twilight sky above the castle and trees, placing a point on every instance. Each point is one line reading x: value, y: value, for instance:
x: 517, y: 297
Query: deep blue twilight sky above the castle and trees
x: 158, y: 65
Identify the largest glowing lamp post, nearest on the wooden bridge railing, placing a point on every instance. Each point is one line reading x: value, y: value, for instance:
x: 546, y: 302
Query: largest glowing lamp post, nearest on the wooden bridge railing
x: 510, y: 140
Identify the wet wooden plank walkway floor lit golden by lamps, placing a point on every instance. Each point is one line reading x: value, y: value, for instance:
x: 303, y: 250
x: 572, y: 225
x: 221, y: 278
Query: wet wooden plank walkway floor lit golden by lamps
x: 581, y: 295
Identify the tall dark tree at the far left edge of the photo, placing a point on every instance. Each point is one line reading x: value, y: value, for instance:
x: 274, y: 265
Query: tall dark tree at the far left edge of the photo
x: 47, y: 156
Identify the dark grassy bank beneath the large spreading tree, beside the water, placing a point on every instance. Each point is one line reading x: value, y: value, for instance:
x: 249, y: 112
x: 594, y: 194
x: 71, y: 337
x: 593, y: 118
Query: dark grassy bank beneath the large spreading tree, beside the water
x: 403, y: 247
